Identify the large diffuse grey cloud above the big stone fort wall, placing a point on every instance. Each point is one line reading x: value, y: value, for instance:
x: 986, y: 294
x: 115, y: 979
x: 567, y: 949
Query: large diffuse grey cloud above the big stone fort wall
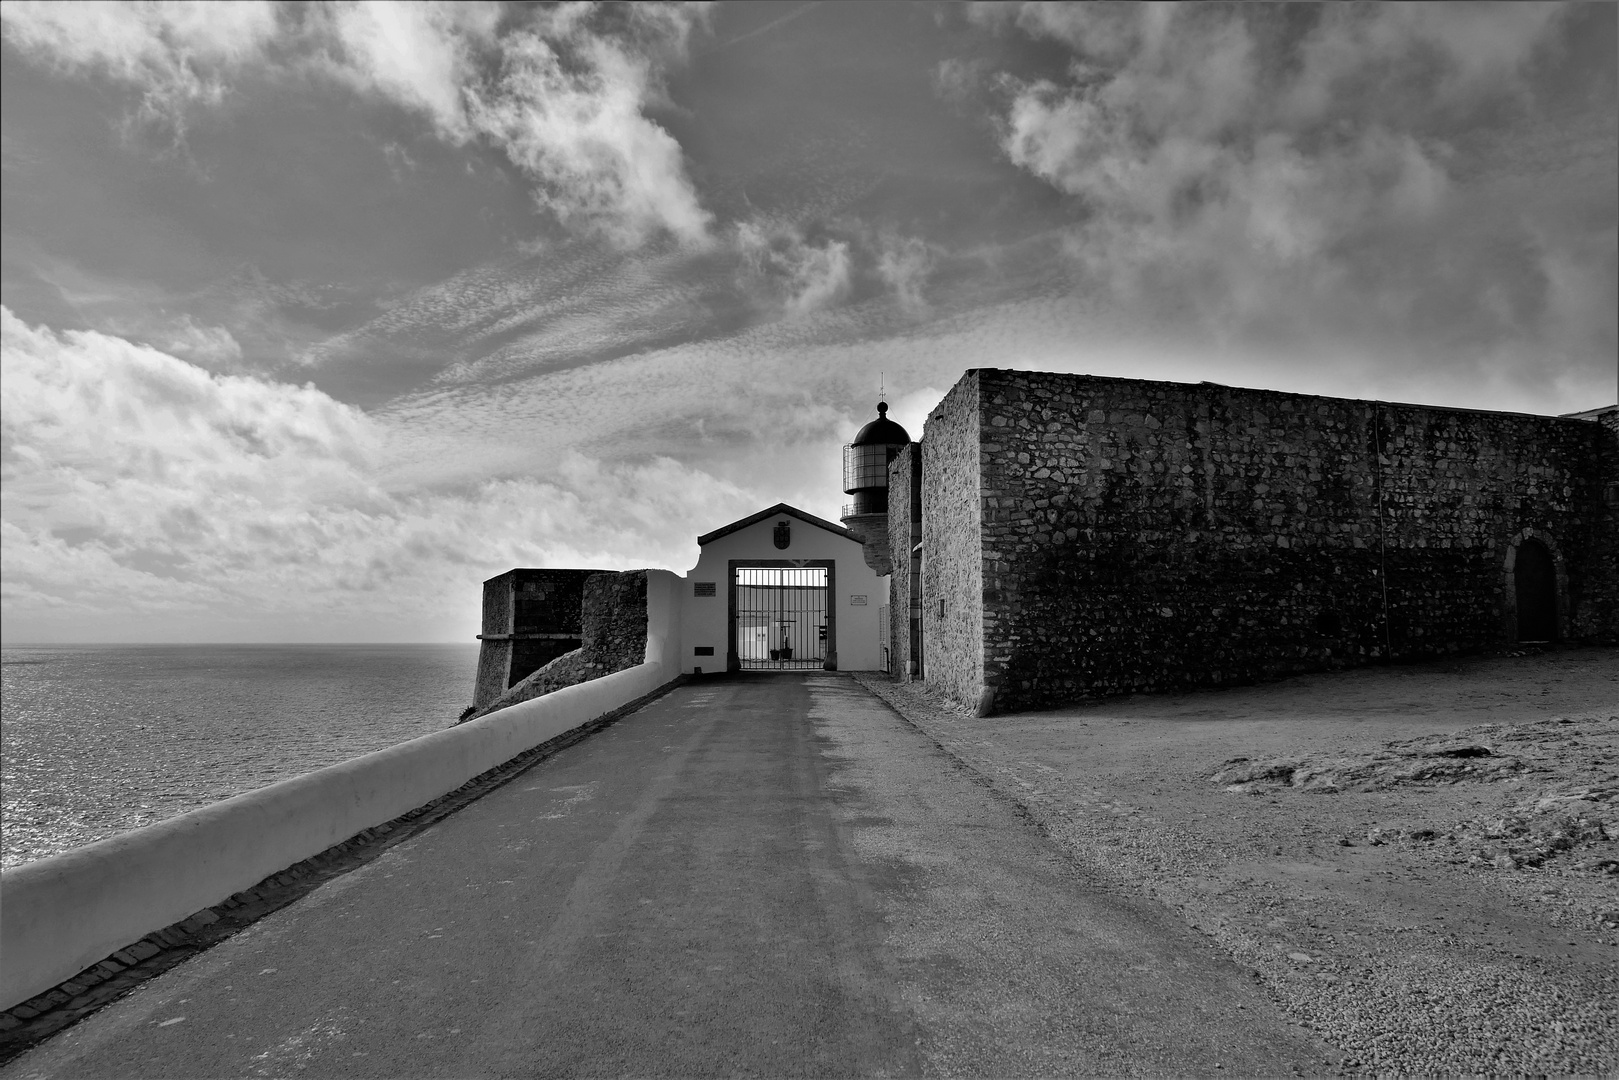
x: 1290, y: 172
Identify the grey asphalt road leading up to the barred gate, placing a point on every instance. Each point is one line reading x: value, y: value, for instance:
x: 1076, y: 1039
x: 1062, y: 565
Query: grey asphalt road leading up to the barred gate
x: 763, y: 875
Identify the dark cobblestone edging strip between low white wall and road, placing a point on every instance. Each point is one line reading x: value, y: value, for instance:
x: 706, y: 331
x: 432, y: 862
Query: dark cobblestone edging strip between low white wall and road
x: 103, y: 984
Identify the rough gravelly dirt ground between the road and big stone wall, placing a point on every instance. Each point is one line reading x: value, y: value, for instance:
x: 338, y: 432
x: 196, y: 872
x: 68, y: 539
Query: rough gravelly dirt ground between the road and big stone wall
x: 1421, y: 864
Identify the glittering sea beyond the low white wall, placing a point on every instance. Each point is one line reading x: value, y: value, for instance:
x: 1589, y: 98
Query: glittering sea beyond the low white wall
x: 101, y: 739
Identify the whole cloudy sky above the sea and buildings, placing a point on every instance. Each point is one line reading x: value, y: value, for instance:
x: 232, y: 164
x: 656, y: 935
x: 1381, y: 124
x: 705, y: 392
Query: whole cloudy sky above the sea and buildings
x: 315, y: 317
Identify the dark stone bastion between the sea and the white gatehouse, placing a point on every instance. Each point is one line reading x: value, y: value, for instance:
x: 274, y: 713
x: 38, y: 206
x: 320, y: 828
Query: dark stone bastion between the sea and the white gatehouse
x: 610, y: 621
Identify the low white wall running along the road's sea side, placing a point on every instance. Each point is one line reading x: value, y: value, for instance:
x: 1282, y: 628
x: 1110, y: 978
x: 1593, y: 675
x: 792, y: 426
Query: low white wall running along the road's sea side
x: 59, y: 916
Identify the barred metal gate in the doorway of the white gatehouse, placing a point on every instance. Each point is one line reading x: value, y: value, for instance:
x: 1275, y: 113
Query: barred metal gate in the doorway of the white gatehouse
x: 781, y: 618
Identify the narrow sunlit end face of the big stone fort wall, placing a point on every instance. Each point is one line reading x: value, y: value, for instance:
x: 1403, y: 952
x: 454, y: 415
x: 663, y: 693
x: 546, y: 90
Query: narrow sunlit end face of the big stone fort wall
x: 953, y: 563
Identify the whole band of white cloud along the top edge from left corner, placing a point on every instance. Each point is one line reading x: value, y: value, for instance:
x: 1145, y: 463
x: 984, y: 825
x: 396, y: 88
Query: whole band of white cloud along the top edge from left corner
x: 564, y: 93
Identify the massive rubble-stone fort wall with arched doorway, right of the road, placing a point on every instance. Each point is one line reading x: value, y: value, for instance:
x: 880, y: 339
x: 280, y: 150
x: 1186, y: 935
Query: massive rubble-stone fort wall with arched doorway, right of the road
x: 1095, y: 537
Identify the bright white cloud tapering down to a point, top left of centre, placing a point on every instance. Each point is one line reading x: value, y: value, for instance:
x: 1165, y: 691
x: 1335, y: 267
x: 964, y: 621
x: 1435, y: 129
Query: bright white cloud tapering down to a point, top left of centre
x: 564, y: 95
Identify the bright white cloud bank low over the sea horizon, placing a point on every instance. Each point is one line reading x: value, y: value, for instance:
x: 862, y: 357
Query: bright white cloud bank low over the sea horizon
x: 145, y: 493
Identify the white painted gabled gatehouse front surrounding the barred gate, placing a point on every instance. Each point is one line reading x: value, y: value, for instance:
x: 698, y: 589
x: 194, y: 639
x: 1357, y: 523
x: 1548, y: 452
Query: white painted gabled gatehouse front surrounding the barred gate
x: 859, y: 632
